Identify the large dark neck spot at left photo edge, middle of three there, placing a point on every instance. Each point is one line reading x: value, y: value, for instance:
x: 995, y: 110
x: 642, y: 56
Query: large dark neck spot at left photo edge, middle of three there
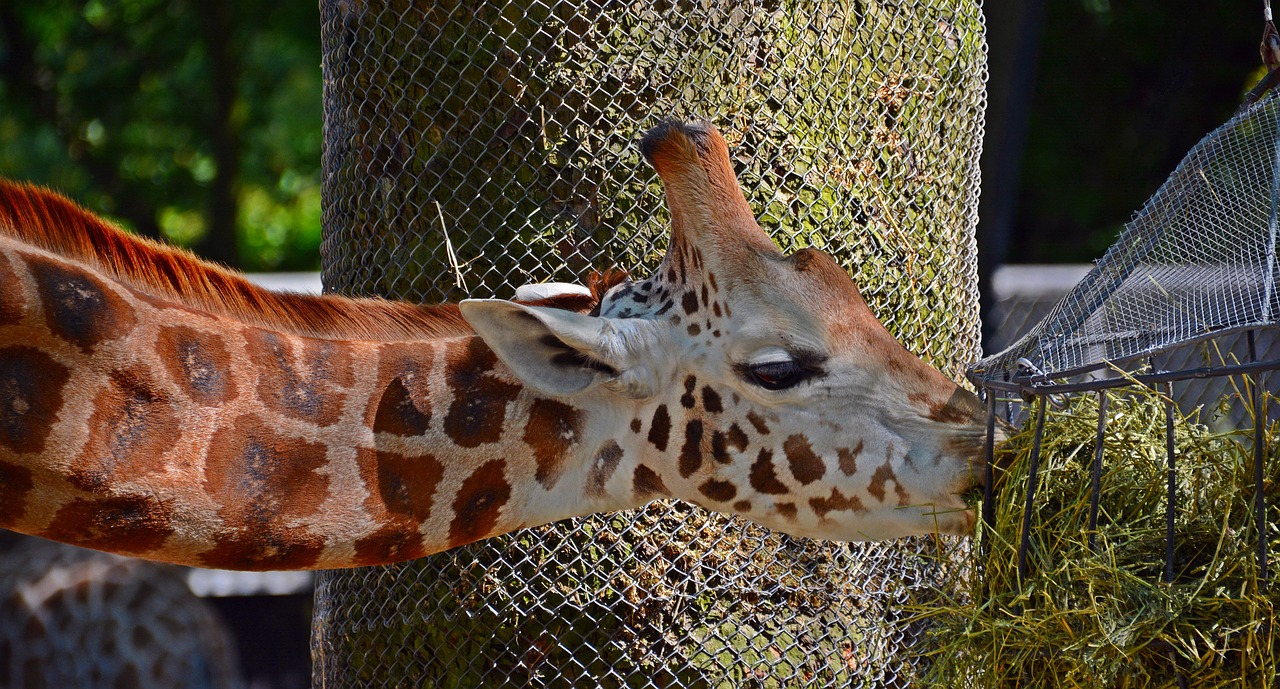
x: 31, y: 395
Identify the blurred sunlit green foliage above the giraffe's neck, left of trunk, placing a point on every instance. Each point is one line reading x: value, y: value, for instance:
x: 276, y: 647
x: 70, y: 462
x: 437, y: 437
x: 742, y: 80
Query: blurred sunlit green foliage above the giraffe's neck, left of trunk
x: 193, y: 122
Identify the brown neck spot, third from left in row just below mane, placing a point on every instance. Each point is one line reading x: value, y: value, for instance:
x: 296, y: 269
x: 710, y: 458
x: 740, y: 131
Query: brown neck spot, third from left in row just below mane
x: 198, y: 363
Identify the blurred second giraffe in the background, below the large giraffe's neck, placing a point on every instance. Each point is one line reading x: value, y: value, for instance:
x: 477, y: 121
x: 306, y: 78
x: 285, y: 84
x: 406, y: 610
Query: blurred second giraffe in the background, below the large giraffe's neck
x: 74, y: 619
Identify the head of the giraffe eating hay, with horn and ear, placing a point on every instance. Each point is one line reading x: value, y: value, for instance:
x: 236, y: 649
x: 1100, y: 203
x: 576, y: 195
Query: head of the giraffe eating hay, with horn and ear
x: 747, y: 381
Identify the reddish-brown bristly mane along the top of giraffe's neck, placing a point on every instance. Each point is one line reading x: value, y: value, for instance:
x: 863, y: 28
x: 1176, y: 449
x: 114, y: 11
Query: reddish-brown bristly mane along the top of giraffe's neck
x: 53, y: 223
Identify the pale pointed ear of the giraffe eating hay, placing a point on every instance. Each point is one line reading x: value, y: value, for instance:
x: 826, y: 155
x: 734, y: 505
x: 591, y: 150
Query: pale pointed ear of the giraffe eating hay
x: 557, y: 352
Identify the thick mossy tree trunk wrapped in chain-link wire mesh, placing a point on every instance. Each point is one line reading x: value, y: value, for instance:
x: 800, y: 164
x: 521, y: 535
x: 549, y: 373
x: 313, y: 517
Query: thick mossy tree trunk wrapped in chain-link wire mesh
x: 474, y: 149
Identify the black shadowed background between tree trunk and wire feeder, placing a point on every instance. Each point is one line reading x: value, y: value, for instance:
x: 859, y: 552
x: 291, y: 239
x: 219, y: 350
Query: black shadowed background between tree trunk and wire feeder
x: 1112, y: 95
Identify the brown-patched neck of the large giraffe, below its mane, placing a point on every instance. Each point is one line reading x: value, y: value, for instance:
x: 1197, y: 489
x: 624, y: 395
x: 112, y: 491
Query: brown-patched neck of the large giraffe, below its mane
x: 147, y: 427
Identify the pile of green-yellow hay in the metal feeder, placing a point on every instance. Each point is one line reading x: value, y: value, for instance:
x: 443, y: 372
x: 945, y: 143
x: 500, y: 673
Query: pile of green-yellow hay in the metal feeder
x: 1107, y: 618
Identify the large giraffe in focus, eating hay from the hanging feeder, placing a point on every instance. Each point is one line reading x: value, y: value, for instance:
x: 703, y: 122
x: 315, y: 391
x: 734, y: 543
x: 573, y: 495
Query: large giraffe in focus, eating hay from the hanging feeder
x: 158, y: 407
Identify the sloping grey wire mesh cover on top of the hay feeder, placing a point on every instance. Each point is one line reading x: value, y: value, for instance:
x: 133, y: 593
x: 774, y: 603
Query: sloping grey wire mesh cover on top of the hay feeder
x: 1197, y: 262
